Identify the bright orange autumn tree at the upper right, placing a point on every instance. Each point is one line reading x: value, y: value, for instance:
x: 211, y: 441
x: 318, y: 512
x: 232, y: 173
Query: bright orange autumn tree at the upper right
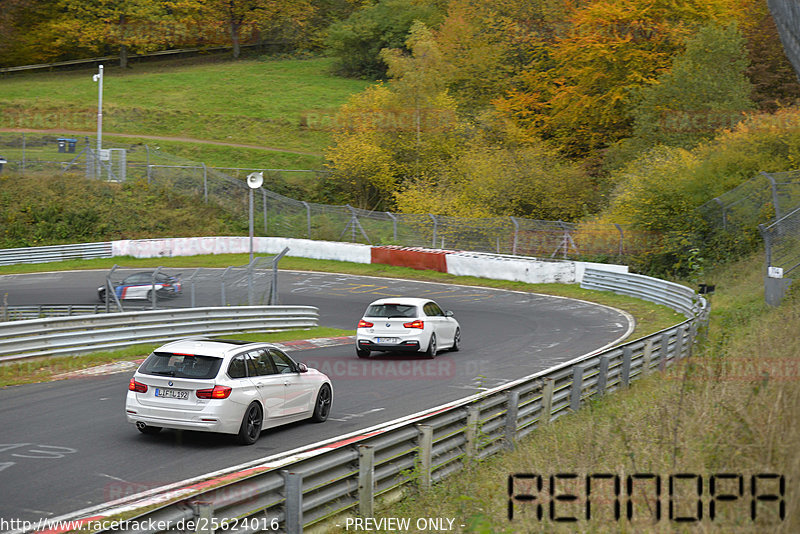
x: 578, y: 96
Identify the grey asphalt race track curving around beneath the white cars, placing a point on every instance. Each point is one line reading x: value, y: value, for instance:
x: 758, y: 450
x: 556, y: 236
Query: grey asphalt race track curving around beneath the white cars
x: 66, y: 445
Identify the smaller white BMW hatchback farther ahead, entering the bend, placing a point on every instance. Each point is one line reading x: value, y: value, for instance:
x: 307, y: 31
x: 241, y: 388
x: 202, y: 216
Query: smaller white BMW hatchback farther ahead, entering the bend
x: 407, y: 324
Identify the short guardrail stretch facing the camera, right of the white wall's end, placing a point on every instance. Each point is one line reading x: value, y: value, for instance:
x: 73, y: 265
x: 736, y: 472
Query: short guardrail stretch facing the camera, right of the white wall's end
x: 680, y: 298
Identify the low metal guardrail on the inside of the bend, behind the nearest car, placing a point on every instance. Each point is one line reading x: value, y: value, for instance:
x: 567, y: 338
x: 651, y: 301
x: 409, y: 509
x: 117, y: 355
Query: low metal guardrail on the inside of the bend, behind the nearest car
x: 74, y: 335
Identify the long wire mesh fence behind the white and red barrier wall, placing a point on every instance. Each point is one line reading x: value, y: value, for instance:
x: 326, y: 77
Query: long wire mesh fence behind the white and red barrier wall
x: 281, y: 216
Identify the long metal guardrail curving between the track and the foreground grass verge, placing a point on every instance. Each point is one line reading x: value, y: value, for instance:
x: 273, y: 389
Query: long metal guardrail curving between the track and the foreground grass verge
x: 318, y: 484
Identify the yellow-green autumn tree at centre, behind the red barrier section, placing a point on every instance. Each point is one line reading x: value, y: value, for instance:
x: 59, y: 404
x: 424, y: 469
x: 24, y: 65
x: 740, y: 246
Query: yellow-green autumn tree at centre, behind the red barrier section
x: 408, y: 126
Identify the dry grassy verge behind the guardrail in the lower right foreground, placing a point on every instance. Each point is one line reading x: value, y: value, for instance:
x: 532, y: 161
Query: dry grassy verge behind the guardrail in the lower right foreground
x: 732, y: 408
